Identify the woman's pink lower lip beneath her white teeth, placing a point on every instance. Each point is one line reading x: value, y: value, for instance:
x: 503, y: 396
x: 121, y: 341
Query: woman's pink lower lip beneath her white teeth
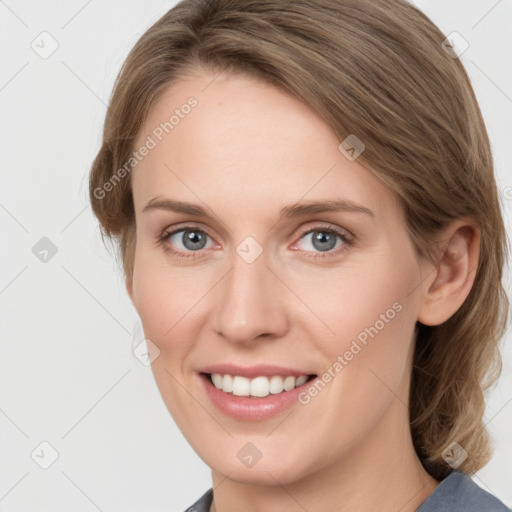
x: 252, y: 409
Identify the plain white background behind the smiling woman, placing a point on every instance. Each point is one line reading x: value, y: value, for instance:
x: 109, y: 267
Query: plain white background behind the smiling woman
x: 67, y: 374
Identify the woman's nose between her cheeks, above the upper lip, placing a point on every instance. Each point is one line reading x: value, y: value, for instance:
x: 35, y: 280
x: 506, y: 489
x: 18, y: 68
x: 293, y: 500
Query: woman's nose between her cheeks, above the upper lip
x: 251, y: 302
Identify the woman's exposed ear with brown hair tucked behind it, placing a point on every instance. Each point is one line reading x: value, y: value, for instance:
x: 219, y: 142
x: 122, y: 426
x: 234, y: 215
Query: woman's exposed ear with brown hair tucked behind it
x: 452, y: 279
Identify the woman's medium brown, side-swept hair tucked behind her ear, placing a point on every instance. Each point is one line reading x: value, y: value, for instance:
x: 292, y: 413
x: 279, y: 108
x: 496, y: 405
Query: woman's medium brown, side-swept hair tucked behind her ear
x: 376, y: 69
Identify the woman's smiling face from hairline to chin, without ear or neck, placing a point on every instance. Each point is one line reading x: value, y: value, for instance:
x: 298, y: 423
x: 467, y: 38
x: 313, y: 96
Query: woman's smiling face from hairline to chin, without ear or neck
x: 256, y: 279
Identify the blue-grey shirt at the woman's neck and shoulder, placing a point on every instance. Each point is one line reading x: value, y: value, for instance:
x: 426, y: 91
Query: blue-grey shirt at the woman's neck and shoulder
x: 456, y: 493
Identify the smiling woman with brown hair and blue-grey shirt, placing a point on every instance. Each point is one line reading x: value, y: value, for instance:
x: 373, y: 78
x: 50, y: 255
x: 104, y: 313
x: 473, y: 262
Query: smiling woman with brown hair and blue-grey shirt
x: 241, y: 138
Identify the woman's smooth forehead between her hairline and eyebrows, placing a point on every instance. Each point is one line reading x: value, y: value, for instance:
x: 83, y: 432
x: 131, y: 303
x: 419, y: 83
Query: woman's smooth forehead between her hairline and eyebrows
x: 232, y: 140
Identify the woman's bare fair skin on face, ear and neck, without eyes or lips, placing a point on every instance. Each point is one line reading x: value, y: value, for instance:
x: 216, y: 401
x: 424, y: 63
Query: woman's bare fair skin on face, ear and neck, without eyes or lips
x: 247, y: 150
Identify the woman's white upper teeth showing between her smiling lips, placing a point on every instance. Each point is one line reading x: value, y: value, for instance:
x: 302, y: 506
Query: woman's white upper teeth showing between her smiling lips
x: 259, y: 387
